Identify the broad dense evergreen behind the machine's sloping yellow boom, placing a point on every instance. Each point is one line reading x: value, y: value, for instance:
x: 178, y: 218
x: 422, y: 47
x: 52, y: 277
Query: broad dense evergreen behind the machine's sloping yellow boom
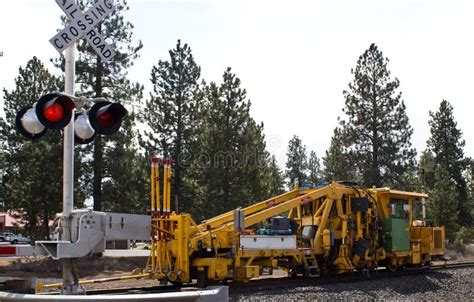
x: 232, y: 154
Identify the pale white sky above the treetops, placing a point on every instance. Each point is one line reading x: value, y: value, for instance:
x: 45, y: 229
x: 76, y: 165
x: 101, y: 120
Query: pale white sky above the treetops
x: 293, y: 57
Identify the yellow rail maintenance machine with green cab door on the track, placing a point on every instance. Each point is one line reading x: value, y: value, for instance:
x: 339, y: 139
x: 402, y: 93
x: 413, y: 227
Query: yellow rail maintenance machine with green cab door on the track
x: 337, y: 228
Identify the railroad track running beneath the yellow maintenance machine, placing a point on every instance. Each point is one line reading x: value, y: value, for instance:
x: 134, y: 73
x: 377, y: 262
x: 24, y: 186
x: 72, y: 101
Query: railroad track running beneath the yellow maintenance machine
x: 265, y: 284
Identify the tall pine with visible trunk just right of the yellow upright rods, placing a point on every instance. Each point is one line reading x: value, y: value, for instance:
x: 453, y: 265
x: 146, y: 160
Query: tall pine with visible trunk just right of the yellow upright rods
x: 171, y: 114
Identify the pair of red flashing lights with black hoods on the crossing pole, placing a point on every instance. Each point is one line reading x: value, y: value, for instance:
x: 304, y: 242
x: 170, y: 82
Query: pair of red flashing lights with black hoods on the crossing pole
x: 54, y: 111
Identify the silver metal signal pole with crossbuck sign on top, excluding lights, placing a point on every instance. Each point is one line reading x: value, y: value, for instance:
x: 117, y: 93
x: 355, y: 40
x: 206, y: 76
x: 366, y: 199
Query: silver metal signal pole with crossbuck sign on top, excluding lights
x: 66, y: 40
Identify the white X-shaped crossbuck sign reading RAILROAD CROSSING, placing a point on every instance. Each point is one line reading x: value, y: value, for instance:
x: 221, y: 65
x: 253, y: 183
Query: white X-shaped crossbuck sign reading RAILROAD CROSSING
x: 82, y: 25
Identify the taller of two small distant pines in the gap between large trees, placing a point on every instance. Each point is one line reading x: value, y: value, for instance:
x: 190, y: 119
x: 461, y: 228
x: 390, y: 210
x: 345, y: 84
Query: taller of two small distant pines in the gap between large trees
x: 296, y: 162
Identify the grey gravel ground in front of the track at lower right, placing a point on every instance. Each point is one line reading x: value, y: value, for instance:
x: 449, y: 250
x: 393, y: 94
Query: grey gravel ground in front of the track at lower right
x: 446, y: 285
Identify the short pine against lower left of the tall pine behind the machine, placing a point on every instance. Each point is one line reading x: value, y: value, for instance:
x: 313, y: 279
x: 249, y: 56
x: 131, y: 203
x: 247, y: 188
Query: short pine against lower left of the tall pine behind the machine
x: 337, y: 161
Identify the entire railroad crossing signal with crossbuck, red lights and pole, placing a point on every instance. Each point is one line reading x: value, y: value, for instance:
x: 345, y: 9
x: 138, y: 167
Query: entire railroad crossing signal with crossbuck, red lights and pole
x: 104, y: 119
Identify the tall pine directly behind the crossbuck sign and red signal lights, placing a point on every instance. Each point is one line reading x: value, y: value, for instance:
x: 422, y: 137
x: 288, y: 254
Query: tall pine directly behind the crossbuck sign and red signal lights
x: 96, y: 78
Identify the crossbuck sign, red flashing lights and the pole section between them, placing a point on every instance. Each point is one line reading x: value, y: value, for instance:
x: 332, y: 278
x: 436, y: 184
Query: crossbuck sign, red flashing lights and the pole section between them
x: 54, y: 110
